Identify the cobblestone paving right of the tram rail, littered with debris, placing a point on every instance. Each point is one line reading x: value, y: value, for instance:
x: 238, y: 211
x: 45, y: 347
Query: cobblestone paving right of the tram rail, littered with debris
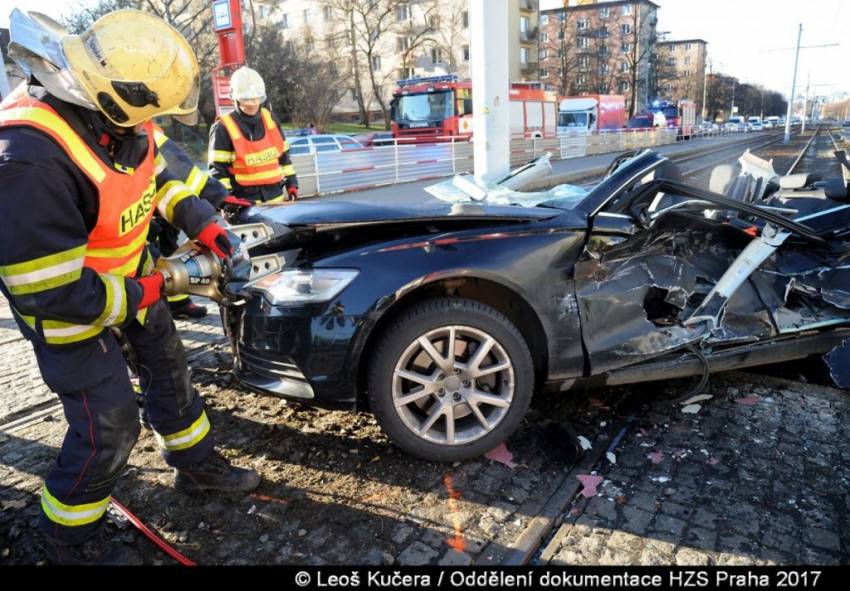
x: 759, y: 475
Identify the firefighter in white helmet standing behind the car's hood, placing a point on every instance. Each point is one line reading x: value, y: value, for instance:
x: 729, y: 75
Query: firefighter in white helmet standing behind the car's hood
x: 248, y: 152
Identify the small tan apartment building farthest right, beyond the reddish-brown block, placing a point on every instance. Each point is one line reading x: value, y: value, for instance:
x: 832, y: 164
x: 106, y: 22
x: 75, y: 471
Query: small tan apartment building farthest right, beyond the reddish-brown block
x: 680, y: 73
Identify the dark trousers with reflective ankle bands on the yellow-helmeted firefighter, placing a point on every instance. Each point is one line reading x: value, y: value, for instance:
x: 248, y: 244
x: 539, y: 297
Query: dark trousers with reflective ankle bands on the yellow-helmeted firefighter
x: 99, y: 403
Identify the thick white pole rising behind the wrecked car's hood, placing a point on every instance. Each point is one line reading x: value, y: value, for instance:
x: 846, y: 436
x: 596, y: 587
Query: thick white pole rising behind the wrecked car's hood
x: 491, y: 132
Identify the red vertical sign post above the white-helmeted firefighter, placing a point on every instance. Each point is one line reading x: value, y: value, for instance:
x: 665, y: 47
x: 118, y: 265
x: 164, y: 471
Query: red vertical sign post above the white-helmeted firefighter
x: 227, y: 23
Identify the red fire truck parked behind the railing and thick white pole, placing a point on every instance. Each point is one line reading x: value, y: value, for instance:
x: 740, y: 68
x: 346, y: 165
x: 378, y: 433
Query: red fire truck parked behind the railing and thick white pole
x: 439, y: 108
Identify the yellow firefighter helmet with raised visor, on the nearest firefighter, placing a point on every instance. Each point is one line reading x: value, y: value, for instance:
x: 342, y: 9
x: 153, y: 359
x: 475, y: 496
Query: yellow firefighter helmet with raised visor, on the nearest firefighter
x: 130, y: 65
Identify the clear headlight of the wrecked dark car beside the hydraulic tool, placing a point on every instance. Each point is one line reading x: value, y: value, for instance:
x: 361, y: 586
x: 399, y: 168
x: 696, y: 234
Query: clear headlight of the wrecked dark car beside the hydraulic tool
x: 304, y: 285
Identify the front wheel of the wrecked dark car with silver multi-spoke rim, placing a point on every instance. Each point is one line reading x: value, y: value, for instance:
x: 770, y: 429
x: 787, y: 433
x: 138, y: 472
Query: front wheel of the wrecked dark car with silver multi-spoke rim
x: 472, y: 323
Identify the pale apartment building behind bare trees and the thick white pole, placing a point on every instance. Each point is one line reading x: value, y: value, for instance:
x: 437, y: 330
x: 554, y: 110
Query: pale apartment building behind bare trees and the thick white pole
x: 415, y: 38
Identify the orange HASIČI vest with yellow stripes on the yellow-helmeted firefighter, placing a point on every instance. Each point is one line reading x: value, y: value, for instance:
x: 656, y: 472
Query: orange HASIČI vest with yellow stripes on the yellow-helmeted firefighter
x: 126, y: 201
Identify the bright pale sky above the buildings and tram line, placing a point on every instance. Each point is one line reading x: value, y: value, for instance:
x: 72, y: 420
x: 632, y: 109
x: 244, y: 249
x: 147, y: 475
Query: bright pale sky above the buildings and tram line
x: 742, y: 34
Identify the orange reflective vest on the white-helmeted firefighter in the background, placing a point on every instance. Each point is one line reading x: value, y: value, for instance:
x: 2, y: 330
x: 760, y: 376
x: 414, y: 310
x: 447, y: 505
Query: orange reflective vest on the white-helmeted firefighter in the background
x: 256, y: 162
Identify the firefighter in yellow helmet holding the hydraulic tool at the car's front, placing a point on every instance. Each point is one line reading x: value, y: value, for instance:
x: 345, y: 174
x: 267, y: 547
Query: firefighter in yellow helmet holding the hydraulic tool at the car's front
x: 81, y: 178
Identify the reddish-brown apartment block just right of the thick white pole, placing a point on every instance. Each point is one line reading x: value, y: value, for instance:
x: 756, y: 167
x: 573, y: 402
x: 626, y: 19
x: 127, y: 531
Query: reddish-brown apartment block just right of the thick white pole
x: 600, y: 47
